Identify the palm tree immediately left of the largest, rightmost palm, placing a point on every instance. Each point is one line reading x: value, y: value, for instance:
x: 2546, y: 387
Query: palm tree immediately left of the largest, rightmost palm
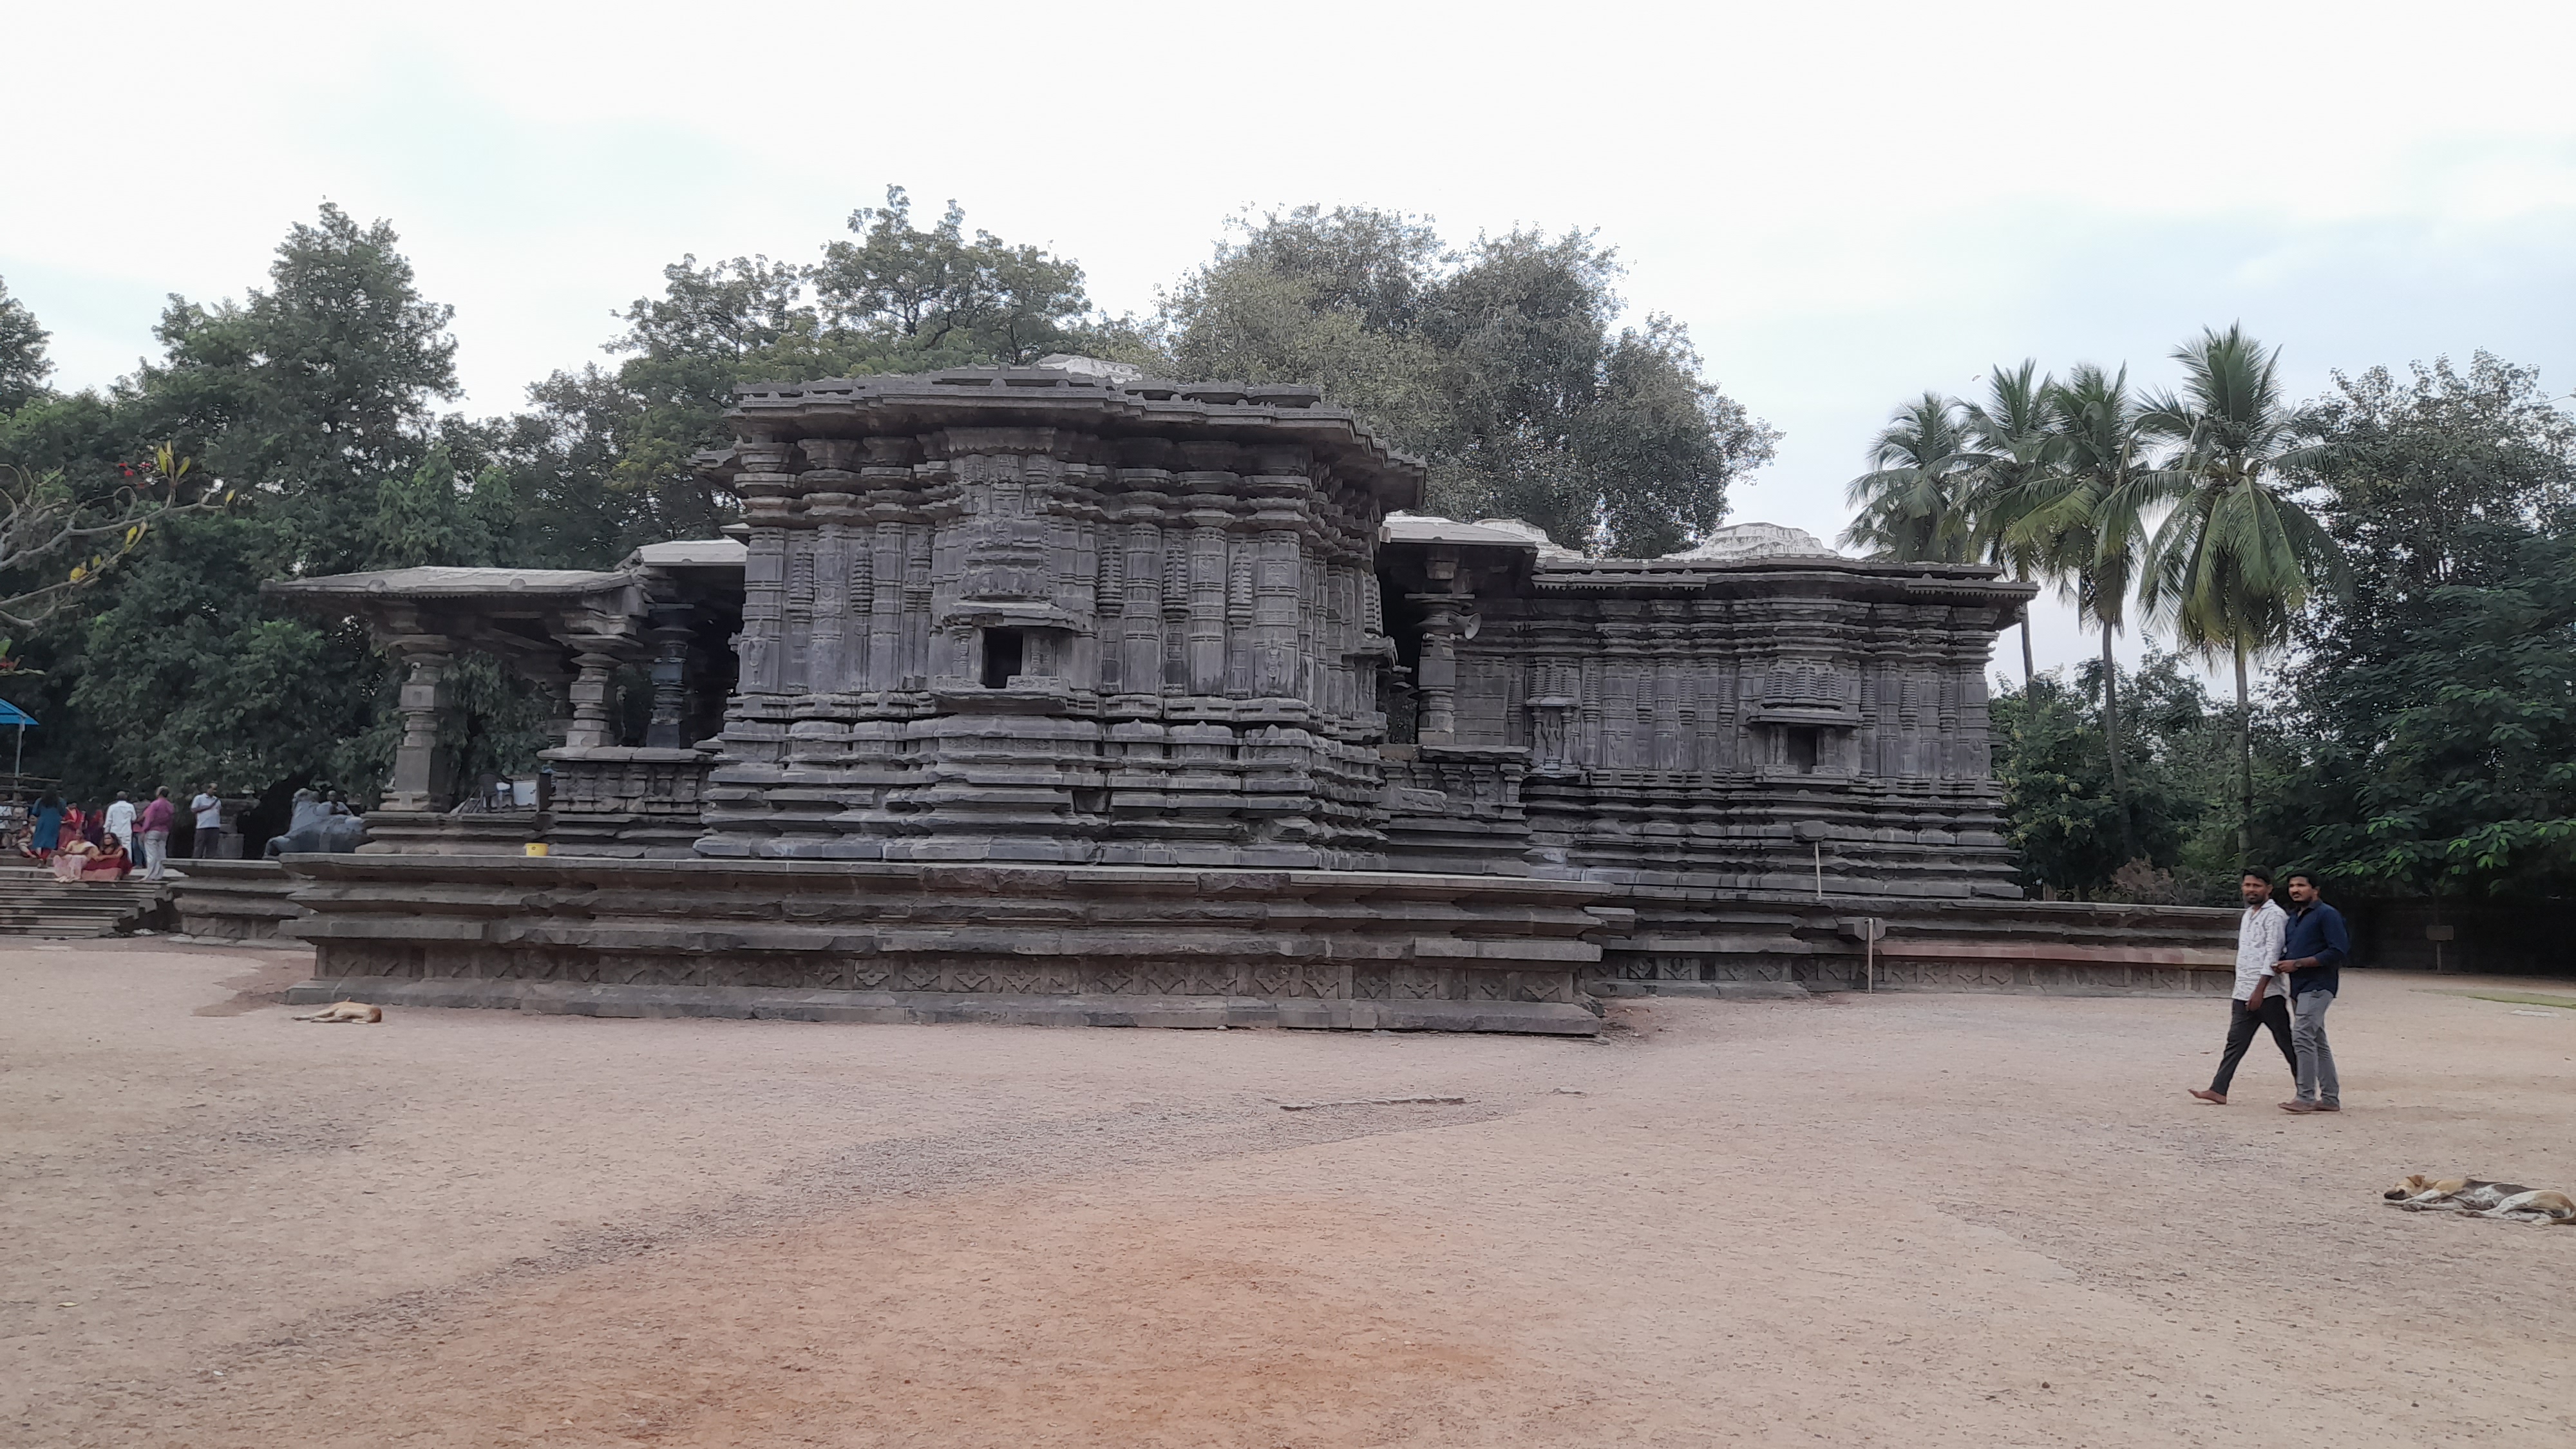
x: 2085, y: 522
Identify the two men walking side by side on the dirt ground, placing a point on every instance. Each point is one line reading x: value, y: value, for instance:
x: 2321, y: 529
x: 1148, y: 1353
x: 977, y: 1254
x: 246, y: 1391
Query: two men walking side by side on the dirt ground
x: 2289, y: 968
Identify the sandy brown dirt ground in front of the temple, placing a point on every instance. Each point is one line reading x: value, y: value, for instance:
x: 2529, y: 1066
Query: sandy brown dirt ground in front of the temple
x: 1859, y: 1221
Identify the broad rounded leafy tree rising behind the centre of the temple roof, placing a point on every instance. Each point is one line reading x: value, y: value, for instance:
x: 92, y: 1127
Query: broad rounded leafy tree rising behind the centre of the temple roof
x: 1501, y: 365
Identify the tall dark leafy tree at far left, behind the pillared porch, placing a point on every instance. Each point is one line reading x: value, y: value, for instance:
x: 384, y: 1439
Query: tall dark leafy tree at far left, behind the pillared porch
x: 308, y: 398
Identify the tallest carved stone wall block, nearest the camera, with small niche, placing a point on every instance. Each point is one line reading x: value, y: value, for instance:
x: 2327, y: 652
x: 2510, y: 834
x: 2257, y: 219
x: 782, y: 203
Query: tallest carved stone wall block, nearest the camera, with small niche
x: 1047, y: 618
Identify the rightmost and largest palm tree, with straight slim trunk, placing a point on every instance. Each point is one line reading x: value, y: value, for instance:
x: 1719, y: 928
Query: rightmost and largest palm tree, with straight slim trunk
x: 2235, y: 558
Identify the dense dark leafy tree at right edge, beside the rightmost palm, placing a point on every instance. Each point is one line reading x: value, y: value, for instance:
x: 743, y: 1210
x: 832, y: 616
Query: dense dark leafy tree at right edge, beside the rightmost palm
x: 2438, y: 687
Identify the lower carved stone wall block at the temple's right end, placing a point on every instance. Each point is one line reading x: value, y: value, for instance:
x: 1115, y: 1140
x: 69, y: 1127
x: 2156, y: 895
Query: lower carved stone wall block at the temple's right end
x: 1740, y: 726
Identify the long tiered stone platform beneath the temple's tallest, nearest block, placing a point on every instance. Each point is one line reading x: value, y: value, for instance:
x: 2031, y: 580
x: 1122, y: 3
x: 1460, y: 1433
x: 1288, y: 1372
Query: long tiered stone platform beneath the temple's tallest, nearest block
x: 954, y: 942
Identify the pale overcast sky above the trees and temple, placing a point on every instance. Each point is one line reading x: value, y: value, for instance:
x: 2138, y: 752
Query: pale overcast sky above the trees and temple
x: 1846, y: 202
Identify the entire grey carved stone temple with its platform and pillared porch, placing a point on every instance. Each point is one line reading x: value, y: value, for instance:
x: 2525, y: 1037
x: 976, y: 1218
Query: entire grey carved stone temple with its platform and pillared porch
x: 1037, y: 695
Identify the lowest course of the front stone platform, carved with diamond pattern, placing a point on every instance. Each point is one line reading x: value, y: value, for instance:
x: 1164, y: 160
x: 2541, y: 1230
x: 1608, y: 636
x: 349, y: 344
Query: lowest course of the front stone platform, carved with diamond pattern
x: 931, y: 1007
